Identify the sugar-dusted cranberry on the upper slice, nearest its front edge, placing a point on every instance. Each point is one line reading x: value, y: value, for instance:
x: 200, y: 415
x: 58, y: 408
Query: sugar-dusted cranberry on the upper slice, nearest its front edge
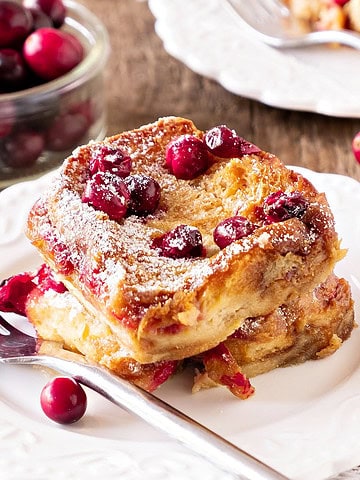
x: 182, y: 242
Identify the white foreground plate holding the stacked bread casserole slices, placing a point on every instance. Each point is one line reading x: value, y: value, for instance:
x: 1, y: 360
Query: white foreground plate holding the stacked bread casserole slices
x: 304, y: 420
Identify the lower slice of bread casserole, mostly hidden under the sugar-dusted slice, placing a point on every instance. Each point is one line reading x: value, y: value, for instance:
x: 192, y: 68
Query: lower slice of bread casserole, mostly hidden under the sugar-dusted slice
x: 311, y: 327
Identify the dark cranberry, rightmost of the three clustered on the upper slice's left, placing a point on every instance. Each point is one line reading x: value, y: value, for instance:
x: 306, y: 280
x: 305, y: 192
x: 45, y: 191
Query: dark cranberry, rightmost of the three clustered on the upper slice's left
x: 144, y: 194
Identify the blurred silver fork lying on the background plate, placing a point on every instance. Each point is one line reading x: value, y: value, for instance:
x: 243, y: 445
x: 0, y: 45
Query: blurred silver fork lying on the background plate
x: 270, y: 21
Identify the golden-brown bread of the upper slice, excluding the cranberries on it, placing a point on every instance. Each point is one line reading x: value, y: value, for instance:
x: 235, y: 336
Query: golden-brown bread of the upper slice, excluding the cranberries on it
x: 163, y: 308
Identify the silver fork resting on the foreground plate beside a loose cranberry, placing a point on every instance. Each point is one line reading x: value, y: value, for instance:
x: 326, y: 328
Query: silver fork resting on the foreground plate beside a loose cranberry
x: 17, y: 347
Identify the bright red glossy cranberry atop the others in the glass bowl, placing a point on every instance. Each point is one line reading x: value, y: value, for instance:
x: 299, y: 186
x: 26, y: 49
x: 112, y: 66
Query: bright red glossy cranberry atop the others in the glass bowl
x: 39, y: 48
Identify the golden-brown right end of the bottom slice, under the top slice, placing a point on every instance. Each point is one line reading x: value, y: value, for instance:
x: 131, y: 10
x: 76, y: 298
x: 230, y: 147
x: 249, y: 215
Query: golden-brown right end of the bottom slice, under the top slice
x: 312, y: 327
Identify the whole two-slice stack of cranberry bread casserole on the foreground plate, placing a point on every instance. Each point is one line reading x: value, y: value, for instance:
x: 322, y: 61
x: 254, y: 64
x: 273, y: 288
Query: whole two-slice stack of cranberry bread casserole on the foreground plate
x: 166, y: 246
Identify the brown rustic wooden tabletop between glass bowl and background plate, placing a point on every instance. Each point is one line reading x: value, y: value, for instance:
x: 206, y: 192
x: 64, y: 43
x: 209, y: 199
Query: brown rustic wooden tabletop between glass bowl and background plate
x: 144, y: 82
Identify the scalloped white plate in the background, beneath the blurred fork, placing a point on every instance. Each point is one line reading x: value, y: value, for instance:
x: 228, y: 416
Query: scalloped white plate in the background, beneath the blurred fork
x: 205, y: 36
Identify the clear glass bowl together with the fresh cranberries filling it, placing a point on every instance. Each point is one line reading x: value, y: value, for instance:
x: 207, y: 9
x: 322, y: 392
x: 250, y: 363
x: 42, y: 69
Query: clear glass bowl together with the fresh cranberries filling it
x: 52, y: 59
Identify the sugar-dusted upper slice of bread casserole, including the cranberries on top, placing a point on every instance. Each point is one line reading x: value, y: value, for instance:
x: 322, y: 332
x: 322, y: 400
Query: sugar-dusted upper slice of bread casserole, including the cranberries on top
x: 171, y: 237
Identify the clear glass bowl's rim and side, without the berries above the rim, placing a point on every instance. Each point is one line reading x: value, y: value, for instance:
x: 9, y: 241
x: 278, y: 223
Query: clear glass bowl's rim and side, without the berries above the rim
x: 40, y: 126
